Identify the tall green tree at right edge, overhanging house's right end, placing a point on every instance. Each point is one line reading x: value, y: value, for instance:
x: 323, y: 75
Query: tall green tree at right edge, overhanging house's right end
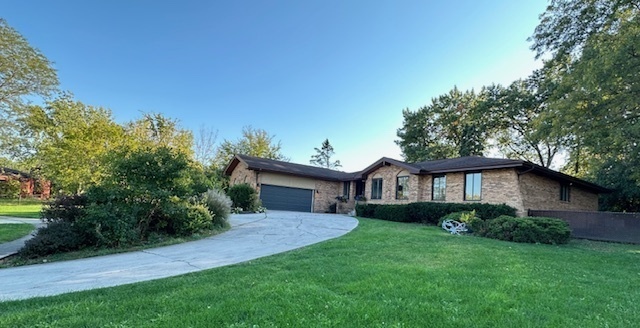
x: 595, y: 44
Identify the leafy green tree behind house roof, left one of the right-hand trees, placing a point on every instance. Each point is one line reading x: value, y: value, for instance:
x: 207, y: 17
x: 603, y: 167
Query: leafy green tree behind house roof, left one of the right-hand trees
x: 450, y: 127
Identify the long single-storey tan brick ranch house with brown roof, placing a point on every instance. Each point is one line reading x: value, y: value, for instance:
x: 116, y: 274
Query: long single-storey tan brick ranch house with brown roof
x: 520, y: 184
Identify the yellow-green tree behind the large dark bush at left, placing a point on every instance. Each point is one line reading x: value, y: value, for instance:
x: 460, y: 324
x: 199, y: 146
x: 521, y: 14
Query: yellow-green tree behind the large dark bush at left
x: 70, y: 141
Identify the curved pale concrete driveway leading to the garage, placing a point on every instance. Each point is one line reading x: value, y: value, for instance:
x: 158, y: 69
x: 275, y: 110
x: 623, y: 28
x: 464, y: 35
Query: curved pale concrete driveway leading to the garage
x: 251, y: 236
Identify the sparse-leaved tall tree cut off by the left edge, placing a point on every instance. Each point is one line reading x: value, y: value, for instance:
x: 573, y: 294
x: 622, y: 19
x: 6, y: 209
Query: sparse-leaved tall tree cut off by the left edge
x: 24, y: 71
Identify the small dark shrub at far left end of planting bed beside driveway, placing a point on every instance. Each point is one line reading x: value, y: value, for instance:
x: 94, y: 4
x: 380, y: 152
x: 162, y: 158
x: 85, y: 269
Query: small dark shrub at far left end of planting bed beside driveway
x: 56, y: 237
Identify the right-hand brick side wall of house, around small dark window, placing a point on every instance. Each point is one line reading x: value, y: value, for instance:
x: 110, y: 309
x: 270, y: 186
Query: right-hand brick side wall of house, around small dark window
x: 541, y: 193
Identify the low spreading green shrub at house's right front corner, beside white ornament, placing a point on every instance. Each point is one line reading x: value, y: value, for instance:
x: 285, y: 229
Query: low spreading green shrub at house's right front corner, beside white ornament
x: 526, y: 230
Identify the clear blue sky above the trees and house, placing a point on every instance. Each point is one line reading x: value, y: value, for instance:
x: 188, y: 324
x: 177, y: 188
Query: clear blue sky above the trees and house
x: 302, y: 70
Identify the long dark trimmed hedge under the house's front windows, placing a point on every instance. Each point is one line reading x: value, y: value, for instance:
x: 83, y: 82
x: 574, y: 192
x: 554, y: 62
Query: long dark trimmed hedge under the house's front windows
x: 430, y: 213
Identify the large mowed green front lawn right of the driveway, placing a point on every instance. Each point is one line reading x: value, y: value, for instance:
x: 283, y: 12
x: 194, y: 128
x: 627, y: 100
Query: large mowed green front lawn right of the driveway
x: 383, y: 274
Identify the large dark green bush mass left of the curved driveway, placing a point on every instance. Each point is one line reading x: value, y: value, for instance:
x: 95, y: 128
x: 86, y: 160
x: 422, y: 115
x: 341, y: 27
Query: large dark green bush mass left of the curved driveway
x: 147, y: 193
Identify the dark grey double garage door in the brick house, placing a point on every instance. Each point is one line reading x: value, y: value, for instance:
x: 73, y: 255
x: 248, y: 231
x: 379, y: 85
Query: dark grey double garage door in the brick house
x: 286, y: 198
